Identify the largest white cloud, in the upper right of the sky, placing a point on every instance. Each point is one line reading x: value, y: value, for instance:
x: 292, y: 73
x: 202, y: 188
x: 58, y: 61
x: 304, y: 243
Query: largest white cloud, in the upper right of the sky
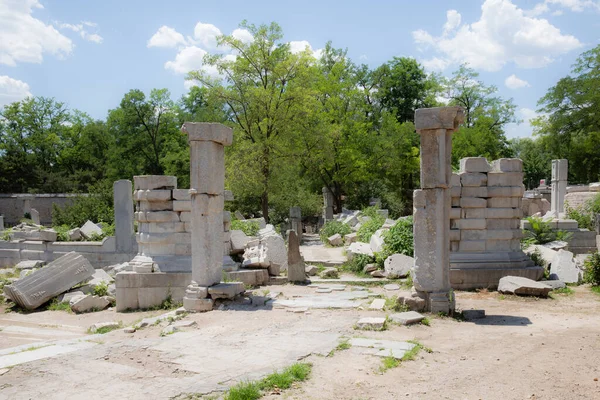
x: 502, y: 35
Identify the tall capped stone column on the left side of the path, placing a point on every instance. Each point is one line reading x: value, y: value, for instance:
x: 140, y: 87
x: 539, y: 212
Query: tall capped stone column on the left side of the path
x: 207, y: 184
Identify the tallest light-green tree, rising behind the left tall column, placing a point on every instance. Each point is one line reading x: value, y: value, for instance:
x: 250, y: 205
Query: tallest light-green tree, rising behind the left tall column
x: 263, y: 90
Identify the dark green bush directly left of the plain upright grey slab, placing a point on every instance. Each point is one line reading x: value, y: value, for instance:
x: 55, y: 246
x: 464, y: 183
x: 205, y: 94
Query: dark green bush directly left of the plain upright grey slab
x: 97, y: 206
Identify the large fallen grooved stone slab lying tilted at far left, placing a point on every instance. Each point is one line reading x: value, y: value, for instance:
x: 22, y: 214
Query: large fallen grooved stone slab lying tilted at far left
x: 48, y: 282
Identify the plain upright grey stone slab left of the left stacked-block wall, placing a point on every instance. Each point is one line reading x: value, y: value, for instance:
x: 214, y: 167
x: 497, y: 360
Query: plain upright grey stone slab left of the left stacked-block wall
x: 123, y: 204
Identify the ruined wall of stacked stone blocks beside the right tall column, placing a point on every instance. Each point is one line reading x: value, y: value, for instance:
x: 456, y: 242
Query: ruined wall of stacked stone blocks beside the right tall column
x: 485, y: 234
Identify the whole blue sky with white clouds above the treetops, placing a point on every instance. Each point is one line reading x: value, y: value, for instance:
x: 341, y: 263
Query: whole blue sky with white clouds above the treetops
x: 88, y: 54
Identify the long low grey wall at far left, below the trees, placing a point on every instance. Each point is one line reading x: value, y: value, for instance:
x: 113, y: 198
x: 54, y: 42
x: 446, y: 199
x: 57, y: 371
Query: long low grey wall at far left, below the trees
x: 12, y: 205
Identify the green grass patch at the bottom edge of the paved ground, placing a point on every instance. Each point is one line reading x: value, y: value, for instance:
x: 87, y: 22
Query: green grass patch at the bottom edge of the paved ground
x: 278, y: 380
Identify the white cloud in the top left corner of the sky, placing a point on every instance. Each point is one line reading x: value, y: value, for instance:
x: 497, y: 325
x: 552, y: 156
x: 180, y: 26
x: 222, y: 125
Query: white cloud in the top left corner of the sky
x: 25, y: 38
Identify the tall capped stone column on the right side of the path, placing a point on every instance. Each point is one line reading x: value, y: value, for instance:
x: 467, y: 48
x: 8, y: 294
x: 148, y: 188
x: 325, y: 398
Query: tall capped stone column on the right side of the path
x: 431, y: 274
